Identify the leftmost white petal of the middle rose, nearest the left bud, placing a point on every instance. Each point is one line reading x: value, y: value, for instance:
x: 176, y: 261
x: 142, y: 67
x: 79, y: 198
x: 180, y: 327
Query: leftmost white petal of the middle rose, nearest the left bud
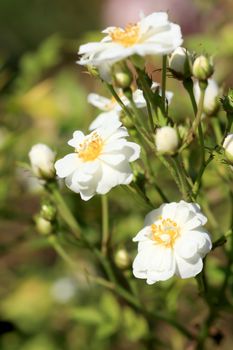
x: 67, y: 165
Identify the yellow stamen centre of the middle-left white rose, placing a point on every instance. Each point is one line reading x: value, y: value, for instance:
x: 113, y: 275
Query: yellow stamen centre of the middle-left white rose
x: 90, y: 148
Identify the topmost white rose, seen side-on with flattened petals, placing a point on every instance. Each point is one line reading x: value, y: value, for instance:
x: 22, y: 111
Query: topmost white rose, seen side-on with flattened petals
x: 152, y: 35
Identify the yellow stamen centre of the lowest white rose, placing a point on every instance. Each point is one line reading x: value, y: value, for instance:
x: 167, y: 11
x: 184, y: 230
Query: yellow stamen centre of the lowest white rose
x: 165, y: 232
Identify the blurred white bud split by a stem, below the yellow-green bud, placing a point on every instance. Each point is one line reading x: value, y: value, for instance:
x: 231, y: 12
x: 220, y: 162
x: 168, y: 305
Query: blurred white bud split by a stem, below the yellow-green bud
x: 211, y: 96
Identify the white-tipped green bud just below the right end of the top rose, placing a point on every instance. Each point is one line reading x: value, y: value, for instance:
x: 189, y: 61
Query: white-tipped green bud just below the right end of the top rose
x: 180, y: 63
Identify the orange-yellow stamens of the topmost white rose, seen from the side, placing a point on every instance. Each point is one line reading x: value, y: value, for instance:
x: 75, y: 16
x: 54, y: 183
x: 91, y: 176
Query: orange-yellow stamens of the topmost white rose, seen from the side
x: 126, y: 37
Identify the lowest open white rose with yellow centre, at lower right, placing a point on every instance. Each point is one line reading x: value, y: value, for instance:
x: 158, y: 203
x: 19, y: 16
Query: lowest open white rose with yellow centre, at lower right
x: 173, y: 242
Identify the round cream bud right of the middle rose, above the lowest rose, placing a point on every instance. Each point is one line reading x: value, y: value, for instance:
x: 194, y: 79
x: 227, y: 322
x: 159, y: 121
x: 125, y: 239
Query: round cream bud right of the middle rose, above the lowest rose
x: 166, y: 140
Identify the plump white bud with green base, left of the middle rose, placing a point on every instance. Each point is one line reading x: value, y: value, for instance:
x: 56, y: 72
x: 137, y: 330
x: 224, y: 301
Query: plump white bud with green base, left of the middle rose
x: 42, y: 161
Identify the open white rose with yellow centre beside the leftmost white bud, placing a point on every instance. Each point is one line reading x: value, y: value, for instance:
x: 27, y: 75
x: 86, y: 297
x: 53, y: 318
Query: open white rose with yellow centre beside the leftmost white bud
x: 99, y: 162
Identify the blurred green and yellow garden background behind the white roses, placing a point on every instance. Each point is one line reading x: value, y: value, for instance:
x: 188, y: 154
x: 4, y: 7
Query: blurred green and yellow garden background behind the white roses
x: 44, y: 305
